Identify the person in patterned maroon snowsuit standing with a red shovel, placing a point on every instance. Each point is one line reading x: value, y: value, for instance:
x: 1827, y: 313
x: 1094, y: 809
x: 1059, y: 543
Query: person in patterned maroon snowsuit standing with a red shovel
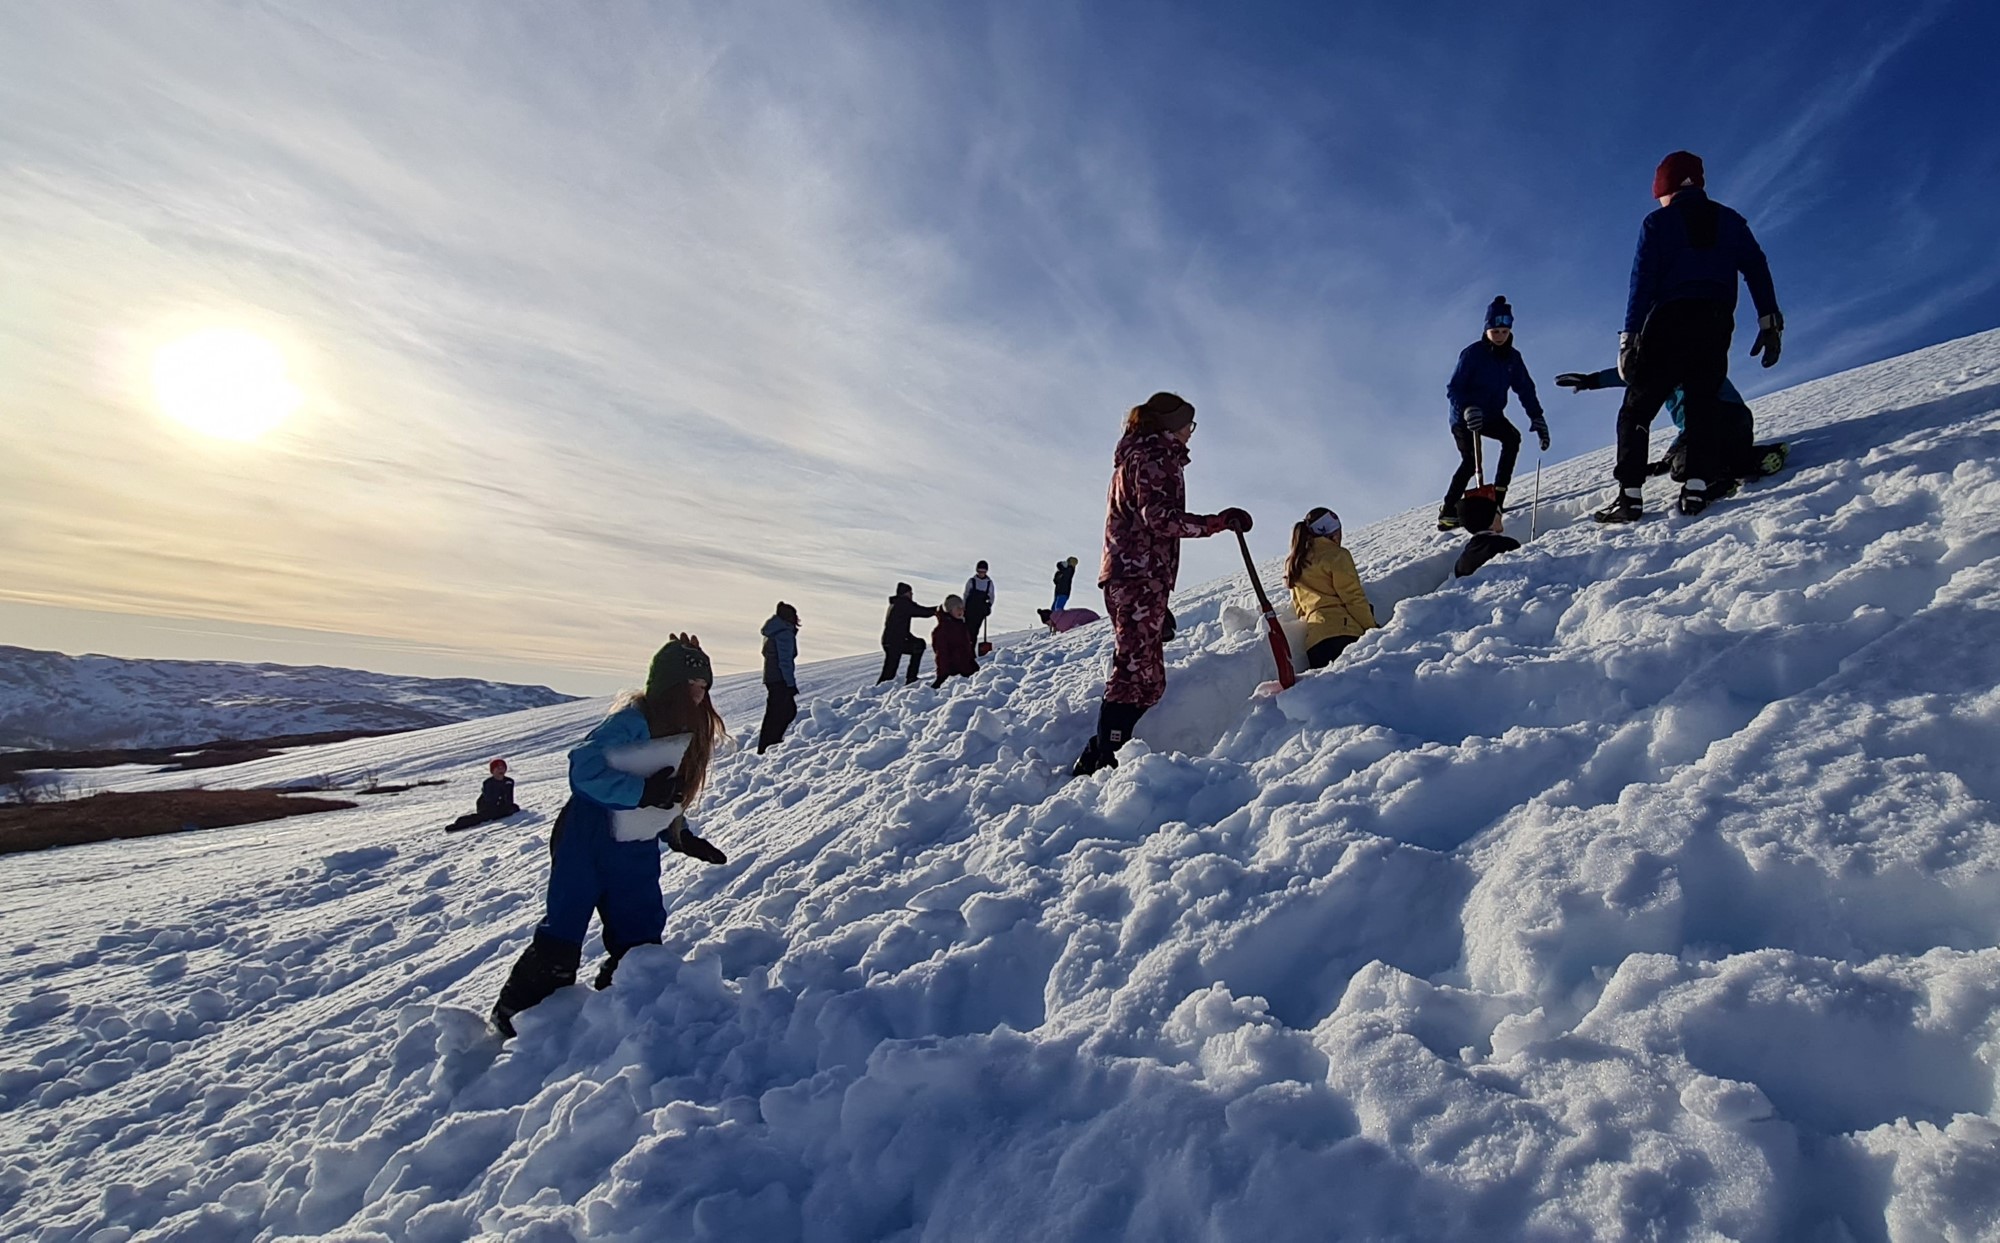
x: 1145, y: 525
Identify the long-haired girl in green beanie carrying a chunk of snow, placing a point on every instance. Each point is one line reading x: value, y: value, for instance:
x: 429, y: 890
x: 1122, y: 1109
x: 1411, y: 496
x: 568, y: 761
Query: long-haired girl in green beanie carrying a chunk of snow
x: 631, y: 784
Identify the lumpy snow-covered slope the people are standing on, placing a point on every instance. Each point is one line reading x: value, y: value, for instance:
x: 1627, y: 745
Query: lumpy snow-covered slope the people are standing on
x: 1643, y: 888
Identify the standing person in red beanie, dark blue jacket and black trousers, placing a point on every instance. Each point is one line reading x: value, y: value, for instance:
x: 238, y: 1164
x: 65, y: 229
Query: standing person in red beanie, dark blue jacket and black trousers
x: 1679, y: 323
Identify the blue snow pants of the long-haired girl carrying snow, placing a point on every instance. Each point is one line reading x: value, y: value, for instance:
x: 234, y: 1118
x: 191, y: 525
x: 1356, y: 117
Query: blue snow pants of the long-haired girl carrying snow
x: 595, y: 872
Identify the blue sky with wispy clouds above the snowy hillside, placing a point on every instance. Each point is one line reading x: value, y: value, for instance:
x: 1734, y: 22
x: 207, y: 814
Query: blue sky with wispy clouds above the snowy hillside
x: 629, y: 319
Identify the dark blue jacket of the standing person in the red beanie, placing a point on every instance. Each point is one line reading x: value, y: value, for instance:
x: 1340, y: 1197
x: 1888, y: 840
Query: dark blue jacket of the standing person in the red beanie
x: 1695, y: 249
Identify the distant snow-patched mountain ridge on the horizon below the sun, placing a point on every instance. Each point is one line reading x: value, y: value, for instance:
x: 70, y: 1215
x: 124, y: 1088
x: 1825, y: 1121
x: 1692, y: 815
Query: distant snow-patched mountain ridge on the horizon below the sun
x: 79, y: 702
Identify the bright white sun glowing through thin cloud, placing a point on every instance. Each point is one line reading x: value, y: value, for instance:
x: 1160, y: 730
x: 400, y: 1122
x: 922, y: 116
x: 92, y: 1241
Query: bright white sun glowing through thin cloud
x: 227, y: 383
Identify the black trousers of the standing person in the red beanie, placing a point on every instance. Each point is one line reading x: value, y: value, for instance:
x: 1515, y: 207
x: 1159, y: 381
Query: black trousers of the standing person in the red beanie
x: 1687, y: 347
